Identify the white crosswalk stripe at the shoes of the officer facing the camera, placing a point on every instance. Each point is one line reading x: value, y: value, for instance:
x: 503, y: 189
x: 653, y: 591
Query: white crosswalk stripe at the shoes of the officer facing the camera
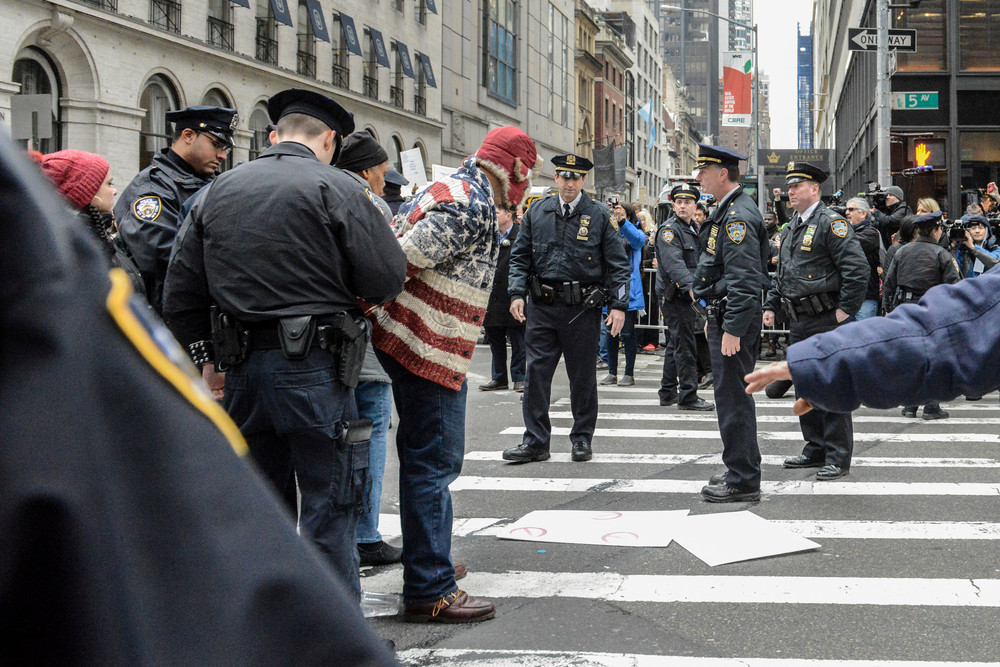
x: 716, y: 460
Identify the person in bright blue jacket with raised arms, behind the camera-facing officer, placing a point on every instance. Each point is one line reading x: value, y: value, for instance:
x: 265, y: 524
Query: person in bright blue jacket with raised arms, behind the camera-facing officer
x: 633, y: 240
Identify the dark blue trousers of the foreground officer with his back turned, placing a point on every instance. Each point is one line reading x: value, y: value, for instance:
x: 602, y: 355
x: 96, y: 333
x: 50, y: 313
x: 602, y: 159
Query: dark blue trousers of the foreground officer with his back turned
x: 289, y: 412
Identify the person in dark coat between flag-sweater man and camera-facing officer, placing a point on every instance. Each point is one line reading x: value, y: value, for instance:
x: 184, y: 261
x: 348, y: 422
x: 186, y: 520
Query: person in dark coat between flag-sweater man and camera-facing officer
x: 500, y: 325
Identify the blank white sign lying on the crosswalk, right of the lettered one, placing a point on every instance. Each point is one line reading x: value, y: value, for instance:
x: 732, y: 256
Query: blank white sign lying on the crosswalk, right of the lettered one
x: 730, y: 537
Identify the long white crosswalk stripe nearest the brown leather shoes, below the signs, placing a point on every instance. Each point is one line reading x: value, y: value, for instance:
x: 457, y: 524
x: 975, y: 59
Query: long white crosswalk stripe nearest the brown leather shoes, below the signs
x: 616, y: 587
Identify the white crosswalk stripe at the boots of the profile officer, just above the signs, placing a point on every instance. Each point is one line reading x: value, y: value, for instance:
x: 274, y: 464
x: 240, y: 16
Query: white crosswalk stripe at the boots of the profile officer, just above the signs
x: 793, y: 488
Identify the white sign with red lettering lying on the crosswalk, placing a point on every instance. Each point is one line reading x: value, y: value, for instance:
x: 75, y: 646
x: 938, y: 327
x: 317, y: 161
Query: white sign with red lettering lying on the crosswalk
x: 623, y: 529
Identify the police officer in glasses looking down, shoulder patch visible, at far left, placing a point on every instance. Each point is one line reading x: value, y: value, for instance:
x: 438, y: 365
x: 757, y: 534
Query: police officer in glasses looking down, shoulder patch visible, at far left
x: 148, y: 210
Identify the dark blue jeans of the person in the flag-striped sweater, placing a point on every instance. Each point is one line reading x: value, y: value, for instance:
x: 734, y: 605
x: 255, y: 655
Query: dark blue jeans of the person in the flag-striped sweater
x: 430, y: 442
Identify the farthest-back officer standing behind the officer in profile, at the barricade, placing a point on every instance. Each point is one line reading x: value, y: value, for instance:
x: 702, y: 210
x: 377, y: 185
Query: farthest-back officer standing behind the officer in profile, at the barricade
x: 677, y: 254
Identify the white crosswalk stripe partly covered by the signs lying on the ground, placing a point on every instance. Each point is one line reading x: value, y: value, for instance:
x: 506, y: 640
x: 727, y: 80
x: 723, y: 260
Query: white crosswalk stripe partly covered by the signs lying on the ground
x: 389, y: 526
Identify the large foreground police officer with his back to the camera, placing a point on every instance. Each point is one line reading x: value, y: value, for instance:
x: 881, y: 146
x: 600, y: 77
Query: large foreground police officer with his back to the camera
x: 286, y: 265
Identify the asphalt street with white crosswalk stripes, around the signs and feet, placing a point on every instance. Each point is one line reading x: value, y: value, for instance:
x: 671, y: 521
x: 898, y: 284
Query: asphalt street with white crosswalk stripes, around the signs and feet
x: 907, y: 569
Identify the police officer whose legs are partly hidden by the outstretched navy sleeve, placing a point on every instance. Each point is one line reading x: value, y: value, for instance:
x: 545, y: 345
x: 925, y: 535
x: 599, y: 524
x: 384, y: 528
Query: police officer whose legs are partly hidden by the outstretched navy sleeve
x: 821, y: 281
